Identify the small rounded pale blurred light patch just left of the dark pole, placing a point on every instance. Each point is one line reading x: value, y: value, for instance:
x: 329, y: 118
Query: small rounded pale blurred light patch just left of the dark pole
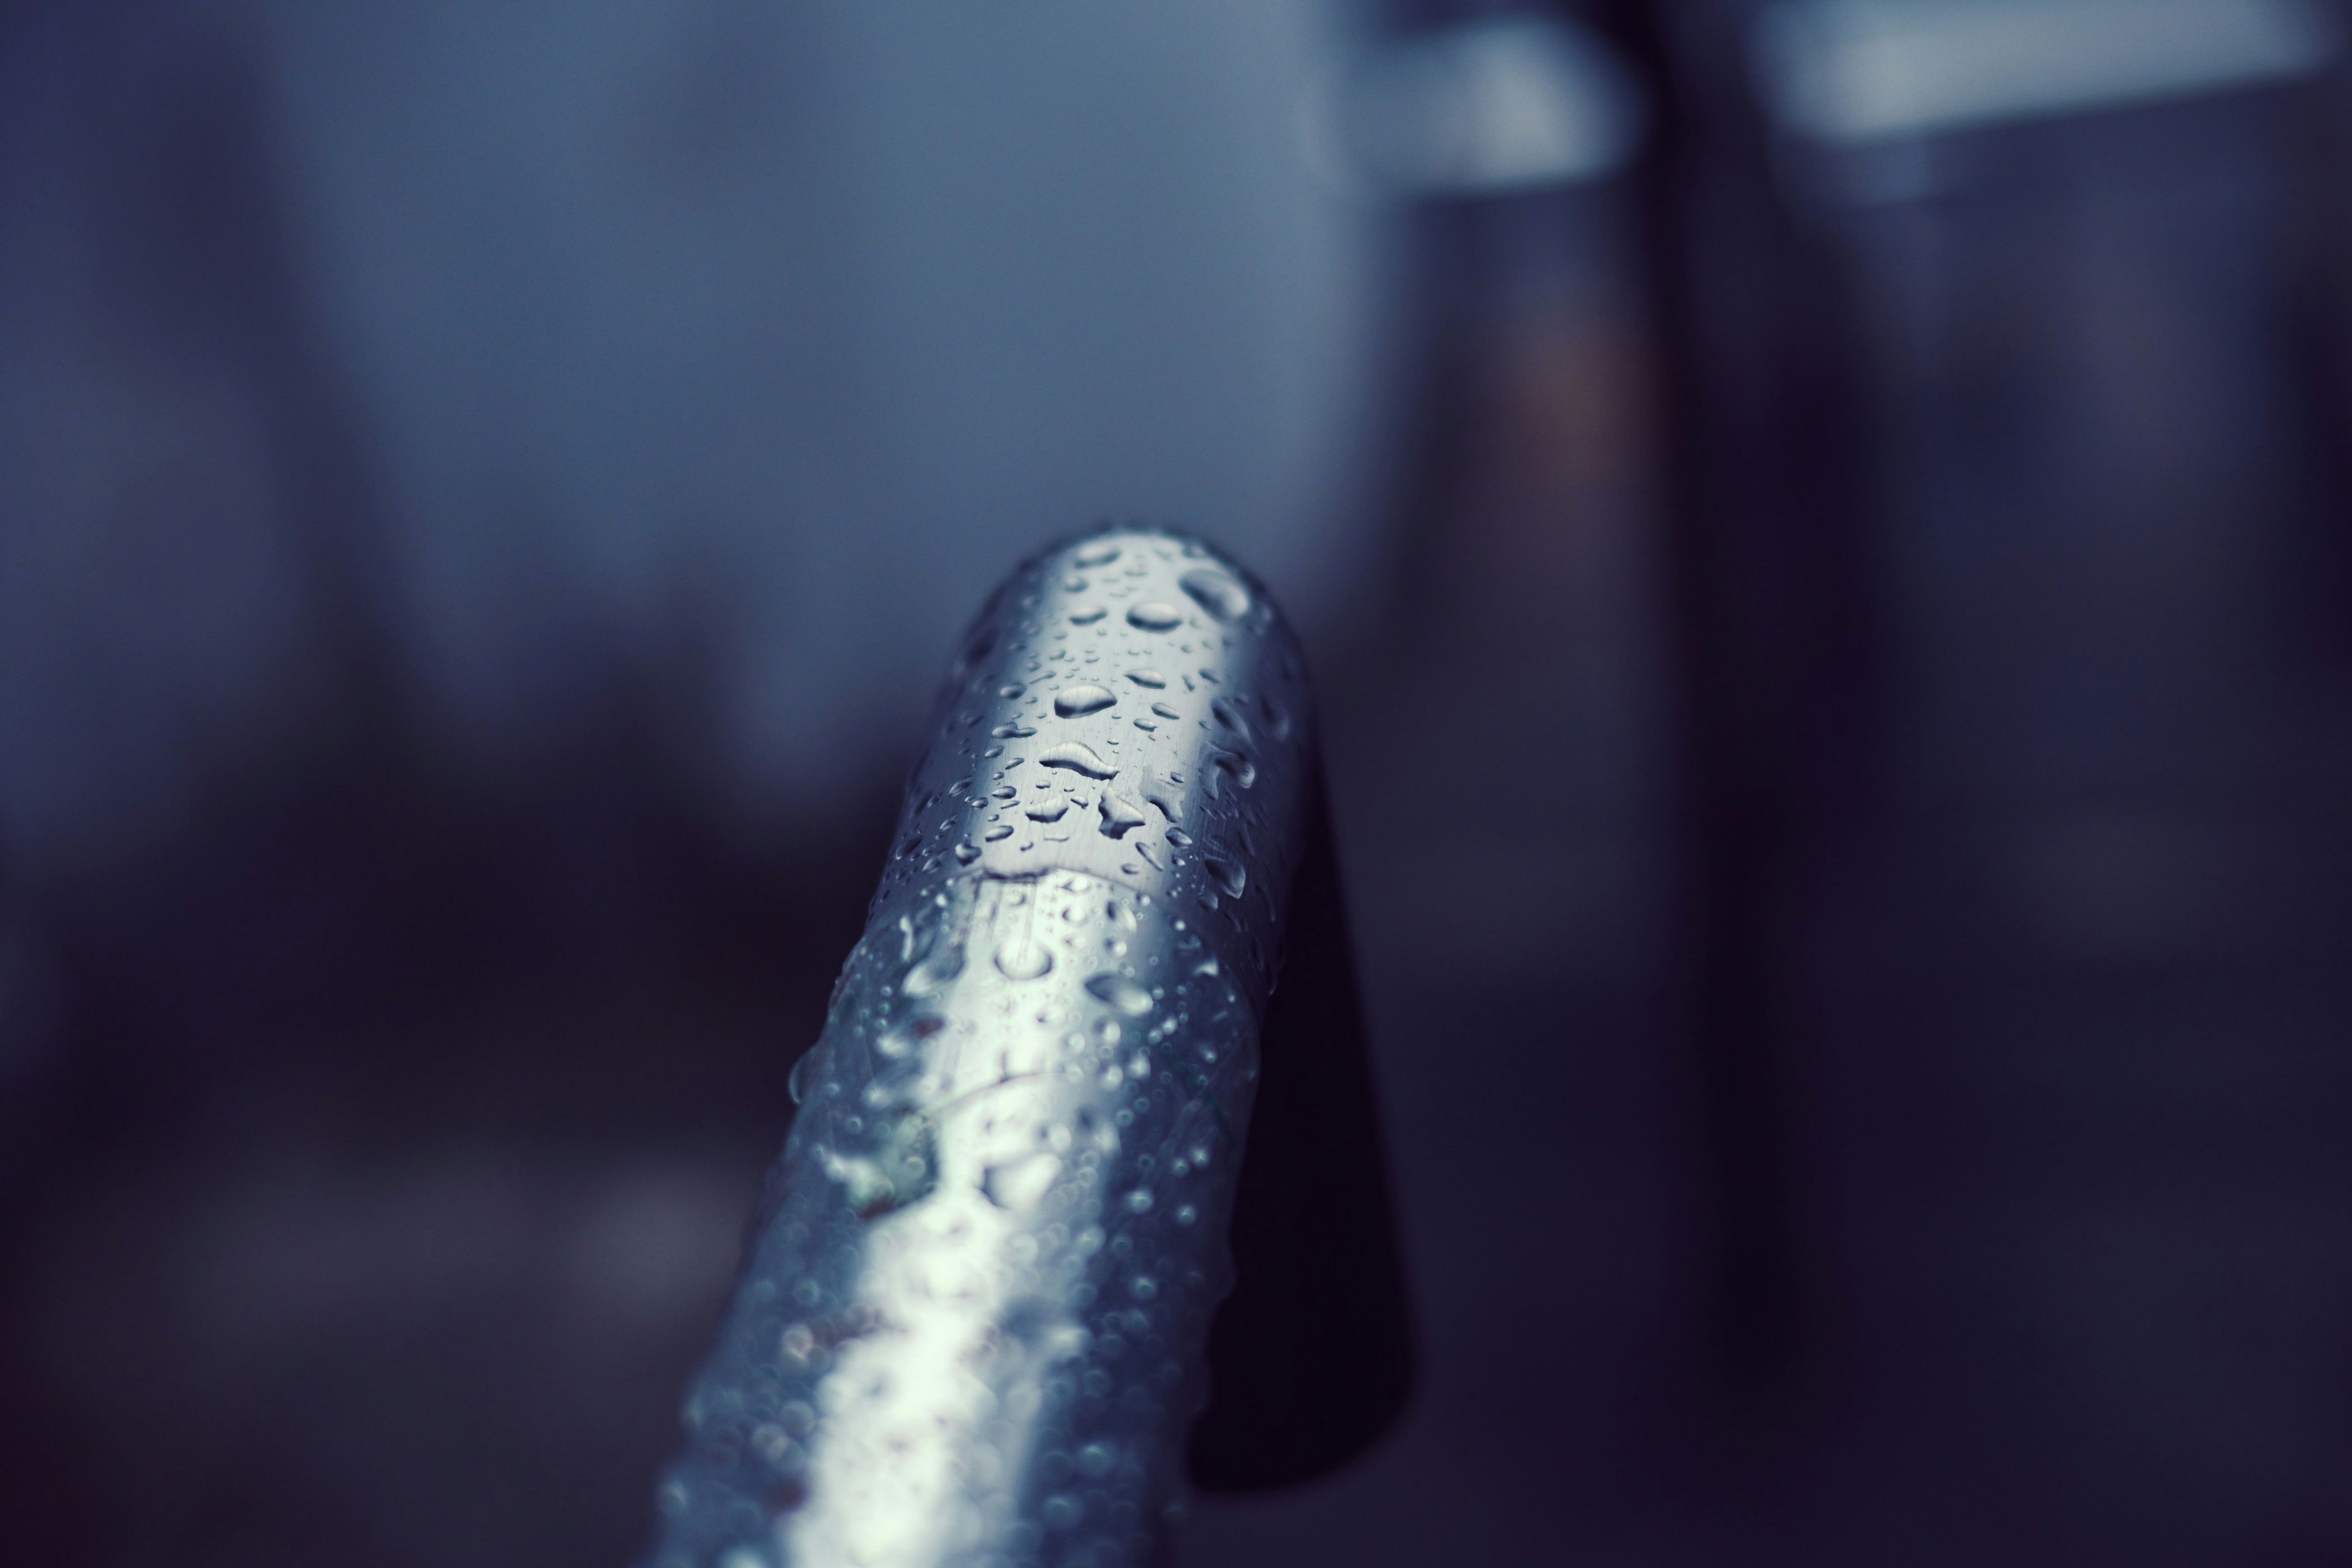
x: 1483, y: 109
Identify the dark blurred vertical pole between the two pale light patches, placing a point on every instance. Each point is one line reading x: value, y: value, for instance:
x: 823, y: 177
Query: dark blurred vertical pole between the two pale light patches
x: 1772, y: 631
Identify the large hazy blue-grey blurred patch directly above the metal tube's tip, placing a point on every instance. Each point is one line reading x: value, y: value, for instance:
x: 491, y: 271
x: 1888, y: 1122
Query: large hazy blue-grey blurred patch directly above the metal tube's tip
x: 770, y: 333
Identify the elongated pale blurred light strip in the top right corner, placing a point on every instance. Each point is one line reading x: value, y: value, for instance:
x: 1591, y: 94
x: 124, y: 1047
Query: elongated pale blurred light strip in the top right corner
x: 1885, y: 69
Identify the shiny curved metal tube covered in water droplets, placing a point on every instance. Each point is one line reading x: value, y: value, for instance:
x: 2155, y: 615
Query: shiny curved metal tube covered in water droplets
x: 973, y: 1320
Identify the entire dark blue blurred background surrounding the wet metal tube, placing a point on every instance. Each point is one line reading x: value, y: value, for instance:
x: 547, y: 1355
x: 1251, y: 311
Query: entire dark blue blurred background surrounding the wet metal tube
x: 1824, y: 535
